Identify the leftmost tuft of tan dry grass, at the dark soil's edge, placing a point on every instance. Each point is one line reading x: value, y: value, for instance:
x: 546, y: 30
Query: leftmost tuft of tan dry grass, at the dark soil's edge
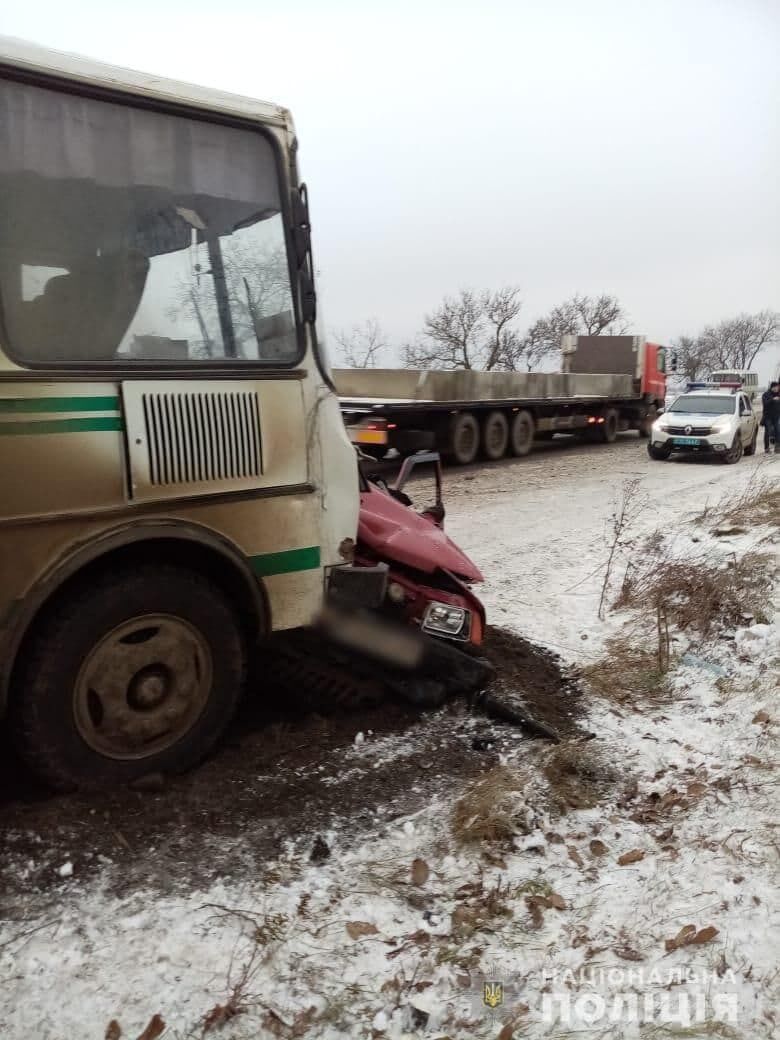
x: 489, y: 811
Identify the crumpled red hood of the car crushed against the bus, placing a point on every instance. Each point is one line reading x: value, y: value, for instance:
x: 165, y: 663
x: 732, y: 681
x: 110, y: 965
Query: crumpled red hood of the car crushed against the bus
x: 398, y: 534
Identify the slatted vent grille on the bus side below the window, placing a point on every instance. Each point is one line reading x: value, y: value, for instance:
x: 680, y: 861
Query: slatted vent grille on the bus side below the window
x: 200, y: 437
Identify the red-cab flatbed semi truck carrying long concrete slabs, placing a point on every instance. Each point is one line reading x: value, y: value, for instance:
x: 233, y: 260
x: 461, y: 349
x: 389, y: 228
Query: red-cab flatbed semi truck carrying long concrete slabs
x: 608, y: 384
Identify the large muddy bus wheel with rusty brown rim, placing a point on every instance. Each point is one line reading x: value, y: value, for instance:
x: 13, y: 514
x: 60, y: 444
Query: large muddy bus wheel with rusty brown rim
x: 139, y: 672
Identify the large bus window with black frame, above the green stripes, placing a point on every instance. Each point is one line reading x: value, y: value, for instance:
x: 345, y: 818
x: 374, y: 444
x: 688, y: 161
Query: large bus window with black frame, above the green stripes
x: 129, y: 235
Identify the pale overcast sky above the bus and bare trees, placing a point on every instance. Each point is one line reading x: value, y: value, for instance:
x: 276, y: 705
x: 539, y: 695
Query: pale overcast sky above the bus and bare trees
x: 630, y: 147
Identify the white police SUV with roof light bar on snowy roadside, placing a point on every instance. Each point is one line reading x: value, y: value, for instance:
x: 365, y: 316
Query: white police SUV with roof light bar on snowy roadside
x: 720, y: 423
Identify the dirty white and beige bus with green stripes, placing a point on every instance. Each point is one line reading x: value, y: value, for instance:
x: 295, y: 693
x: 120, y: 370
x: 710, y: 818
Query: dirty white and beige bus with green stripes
x: 175, y: 474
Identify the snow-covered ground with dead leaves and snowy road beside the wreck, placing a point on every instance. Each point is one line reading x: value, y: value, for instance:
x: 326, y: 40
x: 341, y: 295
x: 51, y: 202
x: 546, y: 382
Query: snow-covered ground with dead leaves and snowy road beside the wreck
x: 647, y: 908
